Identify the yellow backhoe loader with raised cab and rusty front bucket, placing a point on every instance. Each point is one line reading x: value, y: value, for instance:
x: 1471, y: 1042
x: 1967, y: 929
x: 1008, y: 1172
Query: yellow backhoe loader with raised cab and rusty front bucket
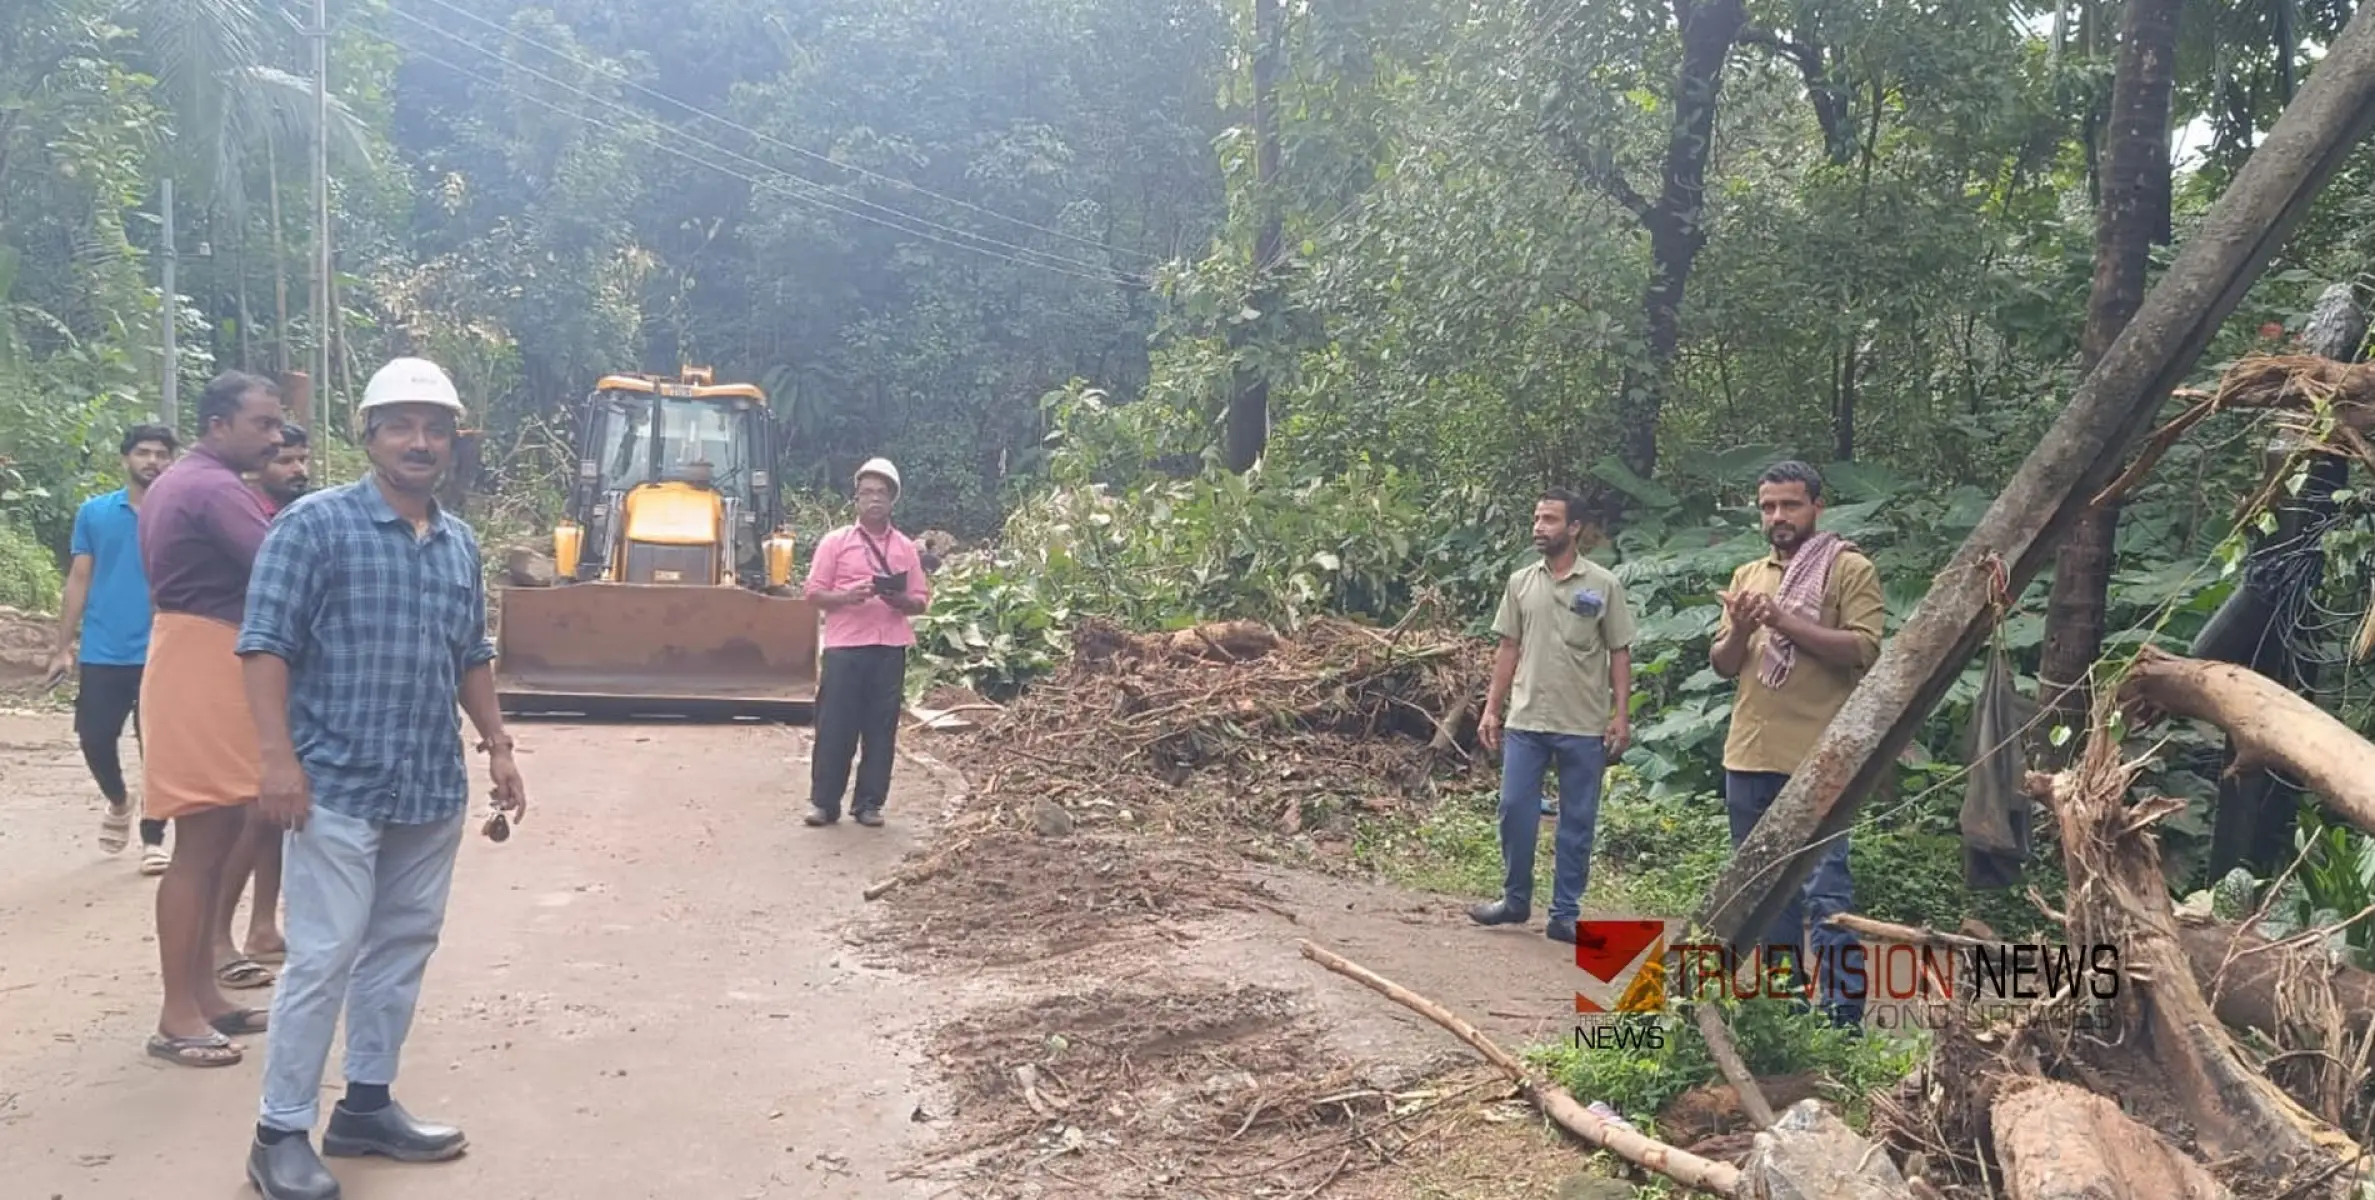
x: 673, y: 574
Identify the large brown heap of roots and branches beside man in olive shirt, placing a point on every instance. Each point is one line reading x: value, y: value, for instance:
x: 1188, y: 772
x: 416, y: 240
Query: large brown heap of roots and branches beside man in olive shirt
x: 1234, y: 728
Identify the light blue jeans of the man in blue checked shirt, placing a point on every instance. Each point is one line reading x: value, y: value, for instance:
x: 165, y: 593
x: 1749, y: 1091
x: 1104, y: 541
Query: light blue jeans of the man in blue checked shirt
x: 365, y: 914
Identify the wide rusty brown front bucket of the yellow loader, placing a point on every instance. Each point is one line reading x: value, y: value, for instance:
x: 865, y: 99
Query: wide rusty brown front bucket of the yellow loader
x: 616, y: 650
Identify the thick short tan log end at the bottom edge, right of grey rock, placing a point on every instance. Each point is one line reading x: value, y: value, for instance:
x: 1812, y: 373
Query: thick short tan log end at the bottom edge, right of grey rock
x: 2070, y: 1144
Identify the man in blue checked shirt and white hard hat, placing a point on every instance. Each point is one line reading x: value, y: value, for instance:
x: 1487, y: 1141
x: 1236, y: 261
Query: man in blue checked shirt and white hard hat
x: 367, y: 626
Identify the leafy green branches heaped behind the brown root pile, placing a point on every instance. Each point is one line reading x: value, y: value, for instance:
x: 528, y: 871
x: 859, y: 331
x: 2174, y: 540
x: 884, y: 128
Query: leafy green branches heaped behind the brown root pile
x: 1165, y: 552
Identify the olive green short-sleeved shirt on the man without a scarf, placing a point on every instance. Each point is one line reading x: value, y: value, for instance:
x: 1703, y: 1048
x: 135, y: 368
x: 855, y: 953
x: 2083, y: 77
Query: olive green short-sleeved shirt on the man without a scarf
x: 1564, y: 655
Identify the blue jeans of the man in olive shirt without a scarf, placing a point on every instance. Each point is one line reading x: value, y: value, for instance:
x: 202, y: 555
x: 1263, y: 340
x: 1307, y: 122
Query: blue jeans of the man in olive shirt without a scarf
x: 1526, y: 759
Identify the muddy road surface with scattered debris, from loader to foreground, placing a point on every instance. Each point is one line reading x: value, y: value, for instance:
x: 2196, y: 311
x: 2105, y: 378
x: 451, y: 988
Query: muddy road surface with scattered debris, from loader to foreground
x: 669, y: 987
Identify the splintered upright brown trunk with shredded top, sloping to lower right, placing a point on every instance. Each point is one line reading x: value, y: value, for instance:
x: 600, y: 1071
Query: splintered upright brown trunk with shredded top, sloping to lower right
x: 2120, y: 899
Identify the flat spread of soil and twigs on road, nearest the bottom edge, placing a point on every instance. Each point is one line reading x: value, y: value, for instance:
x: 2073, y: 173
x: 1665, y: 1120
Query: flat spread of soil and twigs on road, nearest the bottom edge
x: 1193, y: 1090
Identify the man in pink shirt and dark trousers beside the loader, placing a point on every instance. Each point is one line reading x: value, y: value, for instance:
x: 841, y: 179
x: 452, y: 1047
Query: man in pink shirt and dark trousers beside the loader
x: 870, y: 583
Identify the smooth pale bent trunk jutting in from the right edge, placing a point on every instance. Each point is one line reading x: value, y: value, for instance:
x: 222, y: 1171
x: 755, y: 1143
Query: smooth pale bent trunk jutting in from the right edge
x: 2267, y: 724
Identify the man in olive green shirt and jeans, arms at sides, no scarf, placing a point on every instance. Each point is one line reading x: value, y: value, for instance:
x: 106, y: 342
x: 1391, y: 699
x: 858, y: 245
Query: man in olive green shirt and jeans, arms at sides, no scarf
x: 1566, y: 667
